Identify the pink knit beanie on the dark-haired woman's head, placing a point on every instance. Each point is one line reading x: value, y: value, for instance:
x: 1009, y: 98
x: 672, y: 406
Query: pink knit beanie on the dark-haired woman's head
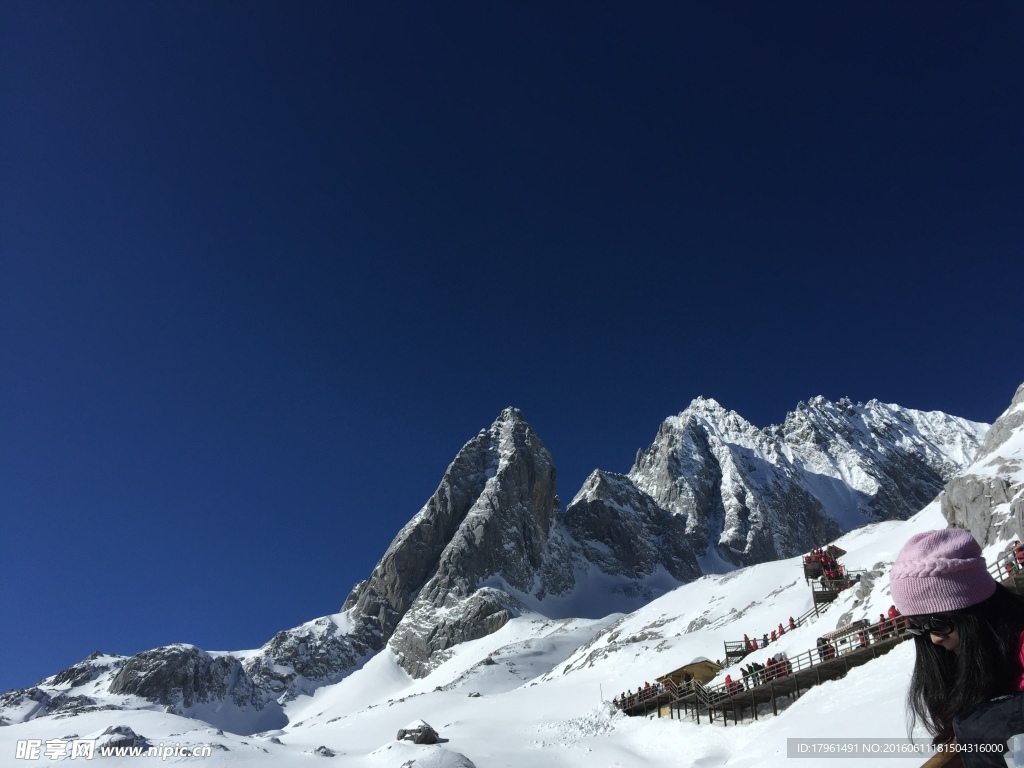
x: 941, y: 571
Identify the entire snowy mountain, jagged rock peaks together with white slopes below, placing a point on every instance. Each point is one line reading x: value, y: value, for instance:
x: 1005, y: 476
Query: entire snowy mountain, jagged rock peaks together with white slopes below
x: 493, y: 590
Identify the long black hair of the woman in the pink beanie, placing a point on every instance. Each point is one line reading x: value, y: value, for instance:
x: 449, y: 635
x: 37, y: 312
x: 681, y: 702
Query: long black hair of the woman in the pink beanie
x: 947, y: 685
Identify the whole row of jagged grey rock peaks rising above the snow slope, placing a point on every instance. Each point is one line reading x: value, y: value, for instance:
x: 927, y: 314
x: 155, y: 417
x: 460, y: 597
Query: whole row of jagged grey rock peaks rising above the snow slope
x: 492, y: 539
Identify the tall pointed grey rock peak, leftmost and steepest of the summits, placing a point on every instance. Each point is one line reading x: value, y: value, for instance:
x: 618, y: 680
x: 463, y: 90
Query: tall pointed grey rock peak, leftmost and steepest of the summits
x: 497, y: 506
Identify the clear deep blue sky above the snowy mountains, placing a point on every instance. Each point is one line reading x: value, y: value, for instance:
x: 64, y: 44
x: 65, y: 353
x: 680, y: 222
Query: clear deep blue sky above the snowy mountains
x: 267, y: 267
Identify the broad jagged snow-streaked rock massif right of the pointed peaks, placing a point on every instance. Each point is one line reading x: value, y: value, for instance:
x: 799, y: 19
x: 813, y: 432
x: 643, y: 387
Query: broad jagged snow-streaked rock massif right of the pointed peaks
x: 755, y: 495
